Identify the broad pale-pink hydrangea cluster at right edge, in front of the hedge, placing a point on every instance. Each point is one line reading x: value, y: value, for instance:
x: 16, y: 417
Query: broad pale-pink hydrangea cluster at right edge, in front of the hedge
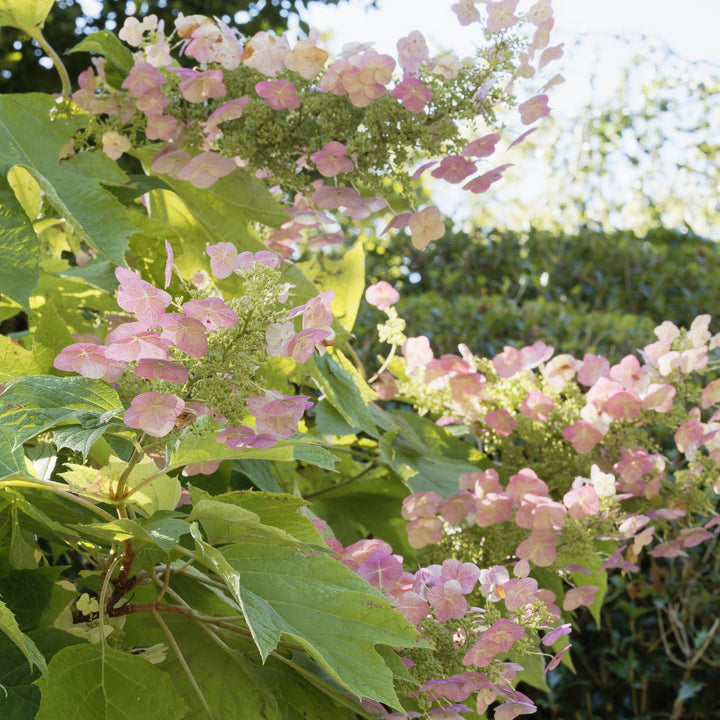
x: 573, y: 453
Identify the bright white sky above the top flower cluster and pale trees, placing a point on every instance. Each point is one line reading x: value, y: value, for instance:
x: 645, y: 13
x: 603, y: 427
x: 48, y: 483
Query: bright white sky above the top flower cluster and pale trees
x: 689, y: 27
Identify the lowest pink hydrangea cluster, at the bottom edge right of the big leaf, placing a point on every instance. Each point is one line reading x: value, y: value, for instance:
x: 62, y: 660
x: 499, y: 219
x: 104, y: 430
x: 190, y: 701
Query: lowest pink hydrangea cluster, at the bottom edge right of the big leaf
x: 472, y: 641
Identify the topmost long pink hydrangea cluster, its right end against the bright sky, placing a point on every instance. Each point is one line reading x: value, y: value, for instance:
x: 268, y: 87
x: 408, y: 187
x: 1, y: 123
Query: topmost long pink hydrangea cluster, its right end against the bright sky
x: 290, y: 114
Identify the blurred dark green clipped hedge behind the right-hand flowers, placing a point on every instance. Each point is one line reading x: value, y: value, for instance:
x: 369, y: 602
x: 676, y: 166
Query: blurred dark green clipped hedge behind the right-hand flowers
x: 589, y: 292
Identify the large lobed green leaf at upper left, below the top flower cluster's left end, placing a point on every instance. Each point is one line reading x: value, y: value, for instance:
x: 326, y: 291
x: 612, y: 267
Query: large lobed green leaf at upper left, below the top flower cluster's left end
x: 30, y: 139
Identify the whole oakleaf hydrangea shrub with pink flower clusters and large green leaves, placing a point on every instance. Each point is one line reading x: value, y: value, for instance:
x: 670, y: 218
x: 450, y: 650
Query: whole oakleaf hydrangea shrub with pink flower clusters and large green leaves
x: 123, y: 450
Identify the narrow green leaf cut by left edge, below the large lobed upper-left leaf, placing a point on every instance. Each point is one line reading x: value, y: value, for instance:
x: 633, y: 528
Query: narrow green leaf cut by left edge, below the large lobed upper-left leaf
x: 19, y: 270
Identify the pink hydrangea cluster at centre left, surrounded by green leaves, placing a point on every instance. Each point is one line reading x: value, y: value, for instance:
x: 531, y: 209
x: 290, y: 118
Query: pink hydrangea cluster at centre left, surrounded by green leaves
x: 200, y: 360
